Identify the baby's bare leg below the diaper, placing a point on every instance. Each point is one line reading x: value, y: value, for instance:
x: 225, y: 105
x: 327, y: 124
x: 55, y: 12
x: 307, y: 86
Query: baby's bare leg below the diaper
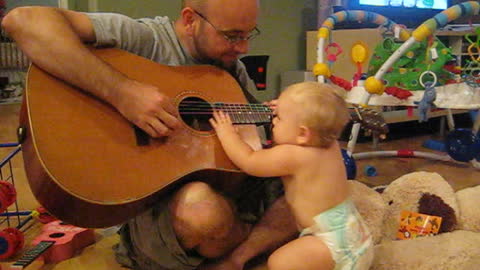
x: 307, y: 252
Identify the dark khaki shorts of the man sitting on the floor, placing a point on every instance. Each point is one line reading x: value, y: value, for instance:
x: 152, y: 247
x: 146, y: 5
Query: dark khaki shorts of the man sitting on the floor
x: 148, y: 242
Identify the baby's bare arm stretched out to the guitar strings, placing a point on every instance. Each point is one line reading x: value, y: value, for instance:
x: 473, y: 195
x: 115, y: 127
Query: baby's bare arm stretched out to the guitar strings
x: 276, y: 161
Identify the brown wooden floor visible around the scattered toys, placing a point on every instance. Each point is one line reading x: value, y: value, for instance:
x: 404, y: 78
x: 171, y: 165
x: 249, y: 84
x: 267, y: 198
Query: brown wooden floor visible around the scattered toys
x: 100, y: 255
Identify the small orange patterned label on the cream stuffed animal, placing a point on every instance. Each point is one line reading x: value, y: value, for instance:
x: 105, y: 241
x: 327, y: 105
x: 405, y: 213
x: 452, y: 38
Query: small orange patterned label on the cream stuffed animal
x: 413, y: 225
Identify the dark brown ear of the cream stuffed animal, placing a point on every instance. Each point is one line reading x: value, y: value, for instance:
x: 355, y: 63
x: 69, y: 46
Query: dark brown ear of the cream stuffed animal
x: 433, y: 205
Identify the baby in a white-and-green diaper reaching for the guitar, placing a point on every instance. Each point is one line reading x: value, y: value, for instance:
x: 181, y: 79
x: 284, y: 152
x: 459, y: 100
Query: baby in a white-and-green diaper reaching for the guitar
x: 307, y: 156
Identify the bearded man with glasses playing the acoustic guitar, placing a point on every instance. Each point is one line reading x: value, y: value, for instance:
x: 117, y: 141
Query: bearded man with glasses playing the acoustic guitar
x: 196, y: 222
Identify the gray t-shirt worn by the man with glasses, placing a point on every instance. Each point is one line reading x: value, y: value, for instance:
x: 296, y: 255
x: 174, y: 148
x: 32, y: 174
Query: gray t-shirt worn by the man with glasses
x: 154, y: 39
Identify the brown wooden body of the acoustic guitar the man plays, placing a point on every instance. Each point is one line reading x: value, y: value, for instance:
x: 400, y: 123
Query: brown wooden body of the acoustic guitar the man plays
x: 81, y: 156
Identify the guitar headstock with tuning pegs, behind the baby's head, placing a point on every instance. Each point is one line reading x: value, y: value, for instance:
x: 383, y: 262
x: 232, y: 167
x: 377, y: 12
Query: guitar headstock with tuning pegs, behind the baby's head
x: 372, y: 121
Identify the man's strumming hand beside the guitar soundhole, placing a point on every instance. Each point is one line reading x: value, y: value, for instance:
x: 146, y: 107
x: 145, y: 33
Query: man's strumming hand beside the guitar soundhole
x: 149, y: 109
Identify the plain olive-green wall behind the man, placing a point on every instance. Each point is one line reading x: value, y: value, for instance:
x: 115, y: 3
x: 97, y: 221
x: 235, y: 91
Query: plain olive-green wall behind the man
x: 283, y: 24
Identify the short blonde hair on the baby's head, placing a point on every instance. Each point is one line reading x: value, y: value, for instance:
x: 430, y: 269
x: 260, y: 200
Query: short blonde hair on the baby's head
x: 321, y: 109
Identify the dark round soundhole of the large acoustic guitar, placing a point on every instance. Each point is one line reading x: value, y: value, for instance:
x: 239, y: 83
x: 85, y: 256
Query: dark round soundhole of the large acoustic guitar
x: 196, y: 112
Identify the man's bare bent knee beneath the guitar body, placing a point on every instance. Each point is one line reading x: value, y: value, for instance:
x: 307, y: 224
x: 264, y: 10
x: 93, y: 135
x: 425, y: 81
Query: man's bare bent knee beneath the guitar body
x: 206, y: 221
